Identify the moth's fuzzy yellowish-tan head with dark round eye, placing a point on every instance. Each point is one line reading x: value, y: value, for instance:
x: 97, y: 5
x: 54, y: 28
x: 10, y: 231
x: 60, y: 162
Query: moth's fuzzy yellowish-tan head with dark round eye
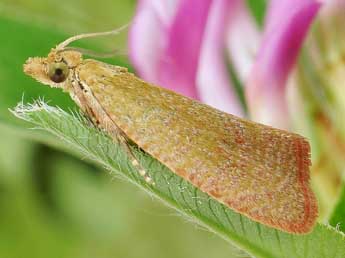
x: 54, y: 70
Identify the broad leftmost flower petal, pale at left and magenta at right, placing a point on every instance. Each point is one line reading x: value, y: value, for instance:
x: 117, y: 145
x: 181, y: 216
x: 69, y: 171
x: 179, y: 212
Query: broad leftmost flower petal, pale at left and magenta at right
x: 165, y: 45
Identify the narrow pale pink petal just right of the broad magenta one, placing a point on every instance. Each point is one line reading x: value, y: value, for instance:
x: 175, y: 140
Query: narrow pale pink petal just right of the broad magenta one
x: 213, y: 81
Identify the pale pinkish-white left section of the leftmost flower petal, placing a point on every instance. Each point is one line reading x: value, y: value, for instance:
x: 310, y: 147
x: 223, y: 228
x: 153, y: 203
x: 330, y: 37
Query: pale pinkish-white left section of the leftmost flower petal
x: 148, y: 35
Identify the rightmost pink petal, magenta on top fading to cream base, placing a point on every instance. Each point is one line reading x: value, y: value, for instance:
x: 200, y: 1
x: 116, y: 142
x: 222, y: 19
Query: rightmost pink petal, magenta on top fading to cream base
x: 287, y: 24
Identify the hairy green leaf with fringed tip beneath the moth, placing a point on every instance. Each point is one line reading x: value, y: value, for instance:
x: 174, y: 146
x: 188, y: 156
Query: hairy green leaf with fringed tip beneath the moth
x: 254, y: 238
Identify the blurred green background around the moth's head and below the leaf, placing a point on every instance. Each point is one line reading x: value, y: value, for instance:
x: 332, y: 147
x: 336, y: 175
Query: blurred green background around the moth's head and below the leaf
x: 54, y: 204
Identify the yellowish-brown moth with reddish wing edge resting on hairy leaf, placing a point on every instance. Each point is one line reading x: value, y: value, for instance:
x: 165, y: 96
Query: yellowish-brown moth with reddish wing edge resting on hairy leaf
x: 256, y: 170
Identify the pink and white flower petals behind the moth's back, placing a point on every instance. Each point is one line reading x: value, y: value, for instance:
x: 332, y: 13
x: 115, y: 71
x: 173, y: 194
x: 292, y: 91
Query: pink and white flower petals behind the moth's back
x: 187, y: 46
